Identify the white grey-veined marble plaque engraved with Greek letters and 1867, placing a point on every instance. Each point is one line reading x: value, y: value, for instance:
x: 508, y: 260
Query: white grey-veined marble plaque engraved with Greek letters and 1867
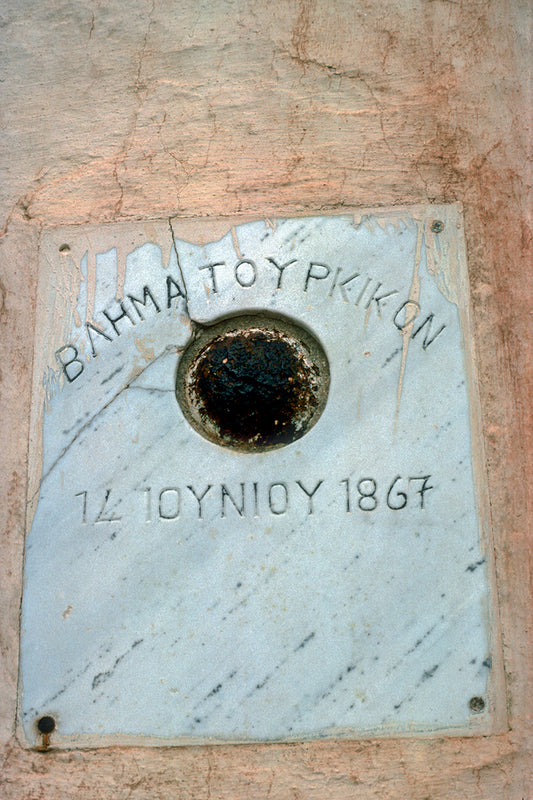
x: 192, y: 578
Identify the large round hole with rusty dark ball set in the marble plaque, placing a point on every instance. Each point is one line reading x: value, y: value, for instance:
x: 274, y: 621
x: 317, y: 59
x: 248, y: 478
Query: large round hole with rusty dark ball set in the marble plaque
x: 253, y: 382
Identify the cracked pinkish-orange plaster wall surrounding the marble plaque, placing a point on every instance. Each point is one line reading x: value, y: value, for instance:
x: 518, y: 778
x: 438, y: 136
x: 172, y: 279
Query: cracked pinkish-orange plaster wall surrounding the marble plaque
x: 157, y: 108
